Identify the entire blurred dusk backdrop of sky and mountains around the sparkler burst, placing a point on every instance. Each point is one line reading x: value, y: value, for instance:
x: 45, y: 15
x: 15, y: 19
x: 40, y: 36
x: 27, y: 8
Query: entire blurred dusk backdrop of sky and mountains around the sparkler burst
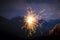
x: 12, y: 14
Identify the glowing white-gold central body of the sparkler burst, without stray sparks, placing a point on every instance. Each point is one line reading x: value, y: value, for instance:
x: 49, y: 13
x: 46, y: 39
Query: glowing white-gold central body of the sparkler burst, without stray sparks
x: 31, y: 22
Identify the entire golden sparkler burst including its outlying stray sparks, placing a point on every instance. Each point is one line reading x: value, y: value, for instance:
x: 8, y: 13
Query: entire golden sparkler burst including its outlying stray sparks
x: 31, y: 21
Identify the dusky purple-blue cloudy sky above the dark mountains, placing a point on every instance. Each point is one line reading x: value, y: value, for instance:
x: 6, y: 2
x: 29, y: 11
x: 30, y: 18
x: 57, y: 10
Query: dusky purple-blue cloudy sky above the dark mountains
x: 14, y: 8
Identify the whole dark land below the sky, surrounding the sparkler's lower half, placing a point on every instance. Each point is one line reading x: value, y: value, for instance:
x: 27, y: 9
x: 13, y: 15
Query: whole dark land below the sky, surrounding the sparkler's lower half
x: 11, y: 29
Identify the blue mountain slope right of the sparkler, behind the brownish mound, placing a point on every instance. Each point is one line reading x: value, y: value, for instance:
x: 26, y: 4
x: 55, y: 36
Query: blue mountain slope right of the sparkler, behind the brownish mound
x: 46, y: 27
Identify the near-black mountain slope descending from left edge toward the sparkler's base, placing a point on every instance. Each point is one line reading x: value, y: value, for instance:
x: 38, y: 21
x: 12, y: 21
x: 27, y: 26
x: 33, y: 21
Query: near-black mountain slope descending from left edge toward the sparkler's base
x: 9, y: 30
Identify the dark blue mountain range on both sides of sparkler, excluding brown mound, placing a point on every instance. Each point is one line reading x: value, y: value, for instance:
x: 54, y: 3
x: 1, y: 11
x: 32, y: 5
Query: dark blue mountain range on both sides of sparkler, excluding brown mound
x: 13, y: 27
